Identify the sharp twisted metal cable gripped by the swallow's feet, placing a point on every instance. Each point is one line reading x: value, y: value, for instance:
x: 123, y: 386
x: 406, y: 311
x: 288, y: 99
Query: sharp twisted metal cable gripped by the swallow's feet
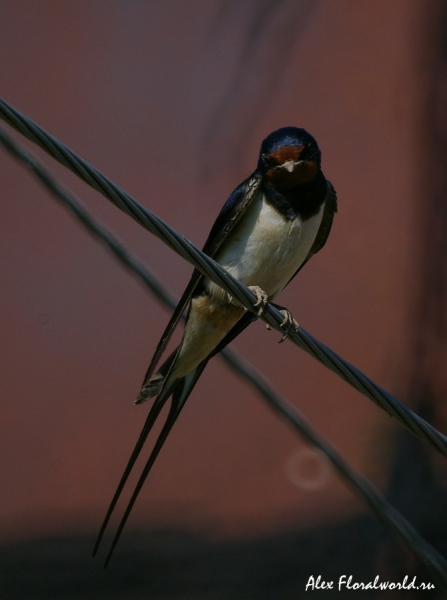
x: 415, y: 424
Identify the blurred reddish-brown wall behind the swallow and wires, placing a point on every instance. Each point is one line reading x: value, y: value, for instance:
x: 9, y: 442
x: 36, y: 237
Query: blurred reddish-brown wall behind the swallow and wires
x: 132, y: 87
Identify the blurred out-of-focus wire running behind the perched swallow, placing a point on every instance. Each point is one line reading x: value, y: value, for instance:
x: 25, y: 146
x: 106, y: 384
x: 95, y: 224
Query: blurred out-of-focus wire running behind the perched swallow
x: 391, y: 519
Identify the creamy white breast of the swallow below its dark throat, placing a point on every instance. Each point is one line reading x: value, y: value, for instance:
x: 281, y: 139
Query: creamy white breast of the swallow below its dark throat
x: 265, y: 249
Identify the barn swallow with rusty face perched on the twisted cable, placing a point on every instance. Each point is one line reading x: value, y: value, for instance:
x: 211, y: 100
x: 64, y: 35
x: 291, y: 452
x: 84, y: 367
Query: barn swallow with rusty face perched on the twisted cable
x: 268, y: 229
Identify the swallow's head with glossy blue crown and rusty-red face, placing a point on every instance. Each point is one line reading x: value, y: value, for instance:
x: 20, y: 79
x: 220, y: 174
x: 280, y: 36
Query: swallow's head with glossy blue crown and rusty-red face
x: 289, y: 157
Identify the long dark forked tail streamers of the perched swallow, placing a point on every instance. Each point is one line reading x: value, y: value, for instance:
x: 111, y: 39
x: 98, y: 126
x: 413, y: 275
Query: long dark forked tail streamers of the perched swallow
x: 180, y: 391
